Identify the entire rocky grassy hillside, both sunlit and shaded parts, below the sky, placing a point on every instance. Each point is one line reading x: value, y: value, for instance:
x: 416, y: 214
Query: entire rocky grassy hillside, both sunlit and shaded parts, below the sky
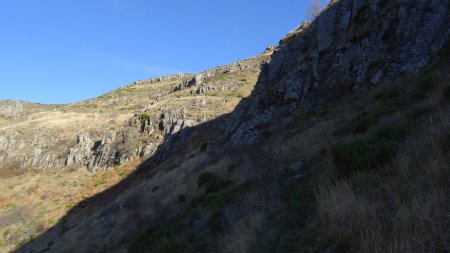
x: 338, y: 141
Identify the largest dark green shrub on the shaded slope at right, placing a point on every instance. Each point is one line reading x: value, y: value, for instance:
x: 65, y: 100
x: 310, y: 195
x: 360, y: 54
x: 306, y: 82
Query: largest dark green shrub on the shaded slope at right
x: 369, y: 152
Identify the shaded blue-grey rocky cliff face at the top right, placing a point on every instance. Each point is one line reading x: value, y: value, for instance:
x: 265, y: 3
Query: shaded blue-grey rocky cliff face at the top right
x: 352, y: 44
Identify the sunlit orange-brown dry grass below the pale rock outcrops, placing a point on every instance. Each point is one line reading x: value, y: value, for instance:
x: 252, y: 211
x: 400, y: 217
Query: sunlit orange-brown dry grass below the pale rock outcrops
x: 34, y: 202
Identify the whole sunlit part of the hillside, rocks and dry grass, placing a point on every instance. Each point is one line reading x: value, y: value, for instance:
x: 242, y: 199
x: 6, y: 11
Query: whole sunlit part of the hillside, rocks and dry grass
x: 56, y: 145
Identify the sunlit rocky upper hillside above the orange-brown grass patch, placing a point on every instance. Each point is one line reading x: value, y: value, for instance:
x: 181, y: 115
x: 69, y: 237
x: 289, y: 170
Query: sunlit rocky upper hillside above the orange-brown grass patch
x: 122, y: 125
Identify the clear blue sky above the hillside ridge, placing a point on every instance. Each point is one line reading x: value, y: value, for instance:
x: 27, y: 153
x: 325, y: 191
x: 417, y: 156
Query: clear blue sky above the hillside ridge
x: 60, y: 51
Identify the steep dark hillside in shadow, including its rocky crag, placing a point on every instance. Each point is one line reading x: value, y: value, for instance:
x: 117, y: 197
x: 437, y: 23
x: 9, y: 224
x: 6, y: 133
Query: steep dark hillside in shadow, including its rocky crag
x: 342, y: 146
